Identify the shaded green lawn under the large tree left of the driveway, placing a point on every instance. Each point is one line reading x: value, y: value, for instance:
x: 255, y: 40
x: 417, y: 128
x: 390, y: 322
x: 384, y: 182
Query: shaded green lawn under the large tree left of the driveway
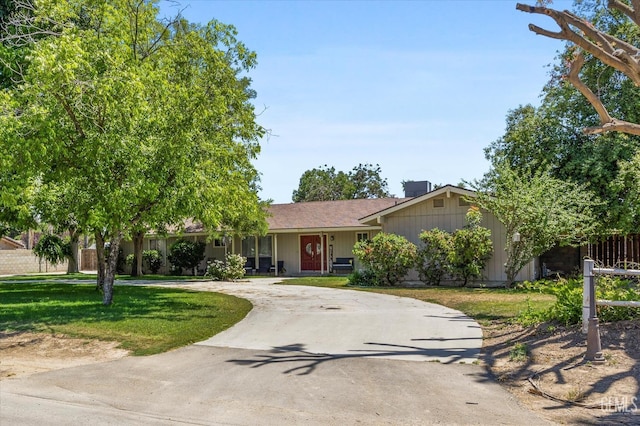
x: 145, y: 320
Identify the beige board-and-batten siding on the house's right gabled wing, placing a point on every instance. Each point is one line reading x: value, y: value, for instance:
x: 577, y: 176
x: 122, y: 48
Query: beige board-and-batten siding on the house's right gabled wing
x: 411, y: 221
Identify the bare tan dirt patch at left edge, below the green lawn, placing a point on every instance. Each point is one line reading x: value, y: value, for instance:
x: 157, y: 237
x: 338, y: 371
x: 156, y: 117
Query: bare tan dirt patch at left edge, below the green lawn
x: 22, y: 354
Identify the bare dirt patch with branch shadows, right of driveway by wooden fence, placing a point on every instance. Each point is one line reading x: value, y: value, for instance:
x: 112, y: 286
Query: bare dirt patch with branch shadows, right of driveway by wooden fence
x: 543, y: 367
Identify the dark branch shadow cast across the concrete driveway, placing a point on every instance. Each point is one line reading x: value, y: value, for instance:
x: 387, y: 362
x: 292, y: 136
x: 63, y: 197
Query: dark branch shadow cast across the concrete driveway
x: 305, y: 362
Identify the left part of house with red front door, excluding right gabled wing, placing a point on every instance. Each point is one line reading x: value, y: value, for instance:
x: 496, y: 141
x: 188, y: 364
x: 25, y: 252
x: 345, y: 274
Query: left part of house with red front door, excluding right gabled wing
x: 302, y: 238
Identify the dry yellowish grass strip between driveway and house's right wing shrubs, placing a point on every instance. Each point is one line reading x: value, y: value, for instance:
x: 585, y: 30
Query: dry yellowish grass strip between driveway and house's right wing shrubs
x: 482, y: 304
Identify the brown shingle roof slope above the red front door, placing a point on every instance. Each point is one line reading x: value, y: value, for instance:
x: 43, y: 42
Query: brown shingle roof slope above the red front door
x: 325, y: 214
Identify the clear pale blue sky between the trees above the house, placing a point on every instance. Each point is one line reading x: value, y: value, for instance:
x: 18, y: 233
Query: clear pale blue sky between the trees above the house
x: 418, y: 87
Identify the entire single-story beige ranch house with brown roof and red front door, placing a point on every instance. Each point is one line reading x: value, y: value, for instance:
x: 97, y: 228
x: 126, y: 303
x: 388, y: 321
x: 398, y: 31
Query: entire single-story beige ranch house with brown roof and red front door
x: 315, y: 238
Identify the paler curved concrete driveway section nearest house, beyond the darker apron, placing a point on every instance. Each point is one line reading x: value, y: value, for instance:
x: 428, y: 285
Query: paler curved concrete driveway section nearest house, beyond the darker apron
x: 347, y: 323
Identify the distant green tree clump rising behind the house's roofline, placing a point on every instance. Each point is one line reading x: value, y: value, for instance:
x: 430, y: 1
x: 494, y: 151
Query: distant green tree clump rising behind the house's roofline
x: 326, y: 184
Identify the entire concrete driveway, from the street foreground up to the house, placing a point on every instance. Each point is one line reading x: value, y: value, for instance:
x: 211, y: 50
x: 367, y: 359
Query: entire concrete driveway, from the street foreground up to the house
x: 303, y: 355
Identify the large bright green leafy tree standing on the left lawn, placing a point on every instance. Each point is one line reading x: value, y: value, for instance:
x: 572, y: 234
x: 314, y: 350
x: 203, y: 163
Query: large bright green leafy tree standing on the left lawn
x: 149, y: 120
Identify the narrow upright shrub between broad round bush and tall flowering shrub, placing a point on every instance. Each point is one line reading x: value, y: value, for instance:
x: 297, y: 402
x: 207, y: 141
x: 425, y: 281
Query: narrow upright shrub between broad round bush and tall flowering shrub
x: 433, y: 255
